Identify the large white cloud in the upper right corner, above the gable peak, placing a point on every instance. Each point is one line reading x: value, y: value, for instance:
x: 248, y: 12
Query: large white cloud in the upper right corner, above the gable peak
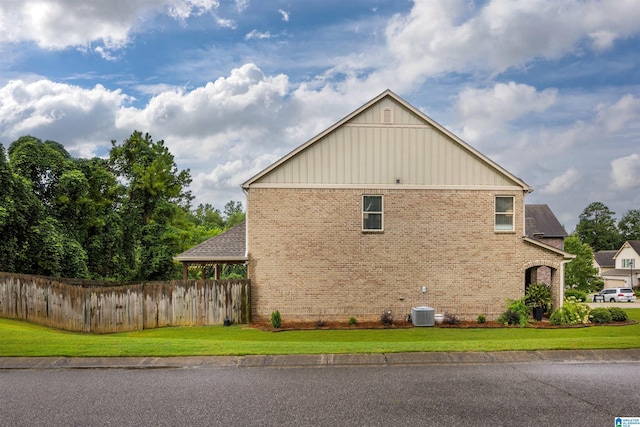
x: 452, y: 35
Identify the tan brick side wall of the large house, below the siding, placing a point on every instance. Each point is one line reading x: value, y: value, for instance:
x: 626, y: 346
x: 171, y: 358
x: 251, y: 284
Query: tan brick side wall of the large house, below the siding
x: 309, y: 259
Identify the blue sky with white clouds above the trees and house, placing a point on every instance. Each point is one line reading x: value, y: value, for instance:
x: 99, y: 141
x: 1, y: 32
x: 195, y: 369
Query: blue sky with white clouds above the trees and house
x: 548, y: 89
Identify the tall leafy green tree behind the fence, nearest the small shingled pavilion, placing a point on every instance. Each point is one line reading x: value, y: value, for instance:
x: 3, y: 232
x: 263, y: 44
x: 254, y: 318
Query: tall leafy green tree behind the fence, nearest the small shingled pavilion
x: 154, y: 202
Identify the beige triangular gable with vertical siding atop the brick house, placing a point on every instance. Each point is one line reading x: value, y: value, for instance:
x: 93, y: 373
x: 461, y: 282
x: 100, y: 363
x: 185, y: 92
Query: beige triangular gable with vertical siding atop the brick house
x: 365, y: 149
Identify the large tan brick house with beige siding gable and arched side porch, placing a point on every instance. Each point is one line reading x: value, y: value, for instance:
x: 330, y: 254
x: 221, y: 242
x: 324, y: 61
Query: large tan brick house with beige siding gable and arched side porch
x: 358, y: 219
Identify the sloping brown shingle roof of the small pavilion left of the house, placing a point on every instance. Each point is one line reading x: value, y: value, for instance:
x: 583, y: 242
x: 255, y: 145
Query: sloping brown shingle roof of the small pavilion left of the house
x: 227, y: 246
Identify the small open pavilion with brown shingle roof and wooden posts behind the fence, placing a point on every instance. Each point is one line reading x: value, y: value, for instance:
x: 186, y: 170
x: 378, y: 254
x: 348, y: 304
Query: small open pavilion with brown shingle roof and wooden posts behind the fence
x: 229, y: 247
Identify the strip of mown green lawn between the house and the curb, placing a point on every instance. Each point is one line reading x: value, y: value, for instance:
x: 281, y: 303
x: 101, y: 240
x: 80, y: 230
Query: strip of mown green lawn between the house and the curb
x: 24, y: 339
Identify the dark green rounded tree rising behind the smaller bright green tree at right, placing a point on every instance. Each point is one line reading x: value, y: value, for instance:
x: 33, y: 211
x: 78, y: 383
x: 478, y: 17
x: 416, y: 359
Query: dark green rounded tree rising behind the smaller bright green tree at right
x: 597, y: 228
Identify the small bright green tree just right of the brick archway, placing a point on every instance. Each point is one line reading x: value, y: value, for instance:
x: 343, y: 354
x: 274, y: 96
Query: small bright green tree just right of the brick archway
x: 580, y: 273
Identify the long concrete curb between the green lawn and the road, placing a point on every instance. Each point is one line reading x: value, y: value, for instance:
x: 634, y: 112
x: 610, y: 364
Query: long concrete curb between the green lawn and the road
x: 323, y: 360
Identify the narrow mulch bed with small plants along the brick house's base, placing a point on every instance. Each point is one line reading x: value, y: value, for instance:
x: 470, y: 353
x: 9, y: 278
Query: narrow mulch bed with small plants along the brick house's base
x: 306, y: 326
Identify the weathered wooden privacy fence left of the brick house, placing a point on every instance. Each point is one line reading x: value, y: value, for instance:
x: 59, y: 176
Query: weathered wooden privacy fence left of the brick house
x: 98, y: 307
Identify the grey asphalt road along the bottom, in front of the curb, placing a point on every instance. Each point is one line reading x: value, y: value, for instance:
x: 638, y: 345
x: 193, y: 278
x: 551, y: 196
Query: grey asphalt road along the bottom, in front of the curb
x: 569, y: 393
